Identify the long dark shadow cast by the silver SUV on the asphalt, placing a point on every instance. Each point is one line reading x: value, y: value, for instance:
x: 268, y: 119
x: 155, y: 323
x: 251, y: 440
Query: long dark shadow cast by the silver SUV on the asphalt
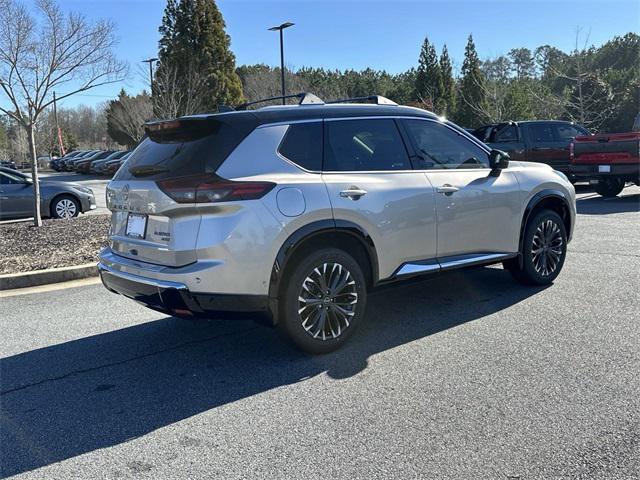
x: 95, y: 392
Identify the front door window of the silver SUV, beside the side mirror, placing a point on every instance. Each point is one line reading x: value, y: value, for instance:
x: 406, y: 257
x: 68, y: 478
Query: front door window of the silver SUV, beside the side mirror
x: 439, y: 147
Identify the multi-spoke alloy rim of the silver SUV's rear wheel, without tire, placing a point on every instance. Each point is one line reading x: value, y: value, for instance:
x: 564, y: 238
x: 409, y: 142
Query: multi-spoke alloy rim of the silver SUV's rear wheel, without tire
x: 327, y: 301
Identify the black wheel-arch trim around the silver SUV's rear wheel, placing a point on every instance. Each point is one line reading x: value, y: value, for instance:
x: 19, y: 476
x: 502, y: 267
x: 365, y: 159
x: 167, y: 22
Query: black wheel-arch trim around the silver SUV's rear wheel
x: 307, y: 232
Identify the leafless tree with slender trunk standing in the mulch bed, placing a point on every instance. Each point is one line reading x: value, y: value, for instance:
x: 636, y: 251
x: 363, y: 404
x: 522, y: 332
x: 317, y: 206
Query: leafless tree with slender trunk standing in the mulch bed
x: 48, y: 52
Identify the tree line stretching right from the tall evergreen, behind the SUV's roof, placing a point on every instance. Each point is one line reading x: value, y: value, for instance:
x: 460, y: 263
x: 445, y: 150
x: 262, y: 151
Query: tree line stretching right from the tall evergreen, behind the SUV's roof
x: 596, y: 87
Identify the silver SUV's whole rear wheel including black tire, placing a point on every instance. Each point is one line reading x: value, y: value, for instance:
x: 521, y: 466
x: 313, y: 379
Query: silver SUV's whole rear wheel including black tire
x: 323, y: 301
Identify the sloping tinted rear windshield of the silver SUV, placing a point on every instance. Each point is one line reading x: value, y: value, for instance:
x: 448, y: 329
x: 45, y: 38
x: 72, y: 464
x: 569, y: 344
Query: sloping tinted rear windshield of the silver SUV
x: 192, y: 147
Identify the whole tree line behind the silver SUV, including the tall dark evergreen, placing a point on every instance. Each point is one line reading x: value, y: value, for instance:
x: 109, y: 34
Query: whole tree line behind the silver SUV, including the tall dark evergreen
x: 196, y: 72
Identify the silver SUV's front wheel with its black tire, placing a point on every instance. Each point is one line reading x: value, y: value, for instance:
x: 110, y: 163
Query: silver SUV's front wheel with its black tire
x: 544, y: 249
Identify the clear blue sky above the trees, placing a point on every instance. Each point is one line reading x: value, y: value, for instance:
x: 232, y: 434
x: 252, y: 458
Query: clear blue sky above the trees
x: 359, y: 34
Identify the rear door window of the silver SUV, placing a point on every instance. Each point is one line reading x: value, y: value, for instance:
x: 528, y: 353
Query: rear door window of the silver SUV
x: 364, y: 145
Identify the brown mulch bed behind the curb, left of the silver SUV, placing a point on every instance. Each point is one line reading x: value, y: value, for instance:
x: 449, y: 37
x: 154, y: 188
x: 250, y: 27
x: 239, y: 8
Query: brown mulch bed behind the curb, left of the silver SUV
x: 58, y: 243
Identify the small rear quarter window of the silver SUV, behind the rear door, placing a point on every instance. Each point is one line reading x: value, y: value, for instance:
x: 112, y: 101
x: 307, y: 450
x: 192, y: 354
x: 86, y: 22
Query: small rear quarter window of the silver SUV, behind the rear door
x: 302, y: 144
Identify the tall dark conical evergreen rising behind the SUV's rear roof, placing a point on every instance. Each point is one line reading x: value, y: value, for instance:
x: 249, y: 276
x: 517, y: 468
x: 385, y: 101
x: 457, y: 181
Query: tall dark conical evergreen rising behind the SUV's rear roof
x: 194, y: 40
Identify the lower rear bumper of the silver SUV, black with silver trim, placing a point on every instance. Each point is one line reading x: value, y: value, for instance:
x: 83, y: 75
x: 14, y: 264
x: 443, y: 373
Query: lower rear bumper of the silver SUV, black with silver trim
x: 174, y: 298
